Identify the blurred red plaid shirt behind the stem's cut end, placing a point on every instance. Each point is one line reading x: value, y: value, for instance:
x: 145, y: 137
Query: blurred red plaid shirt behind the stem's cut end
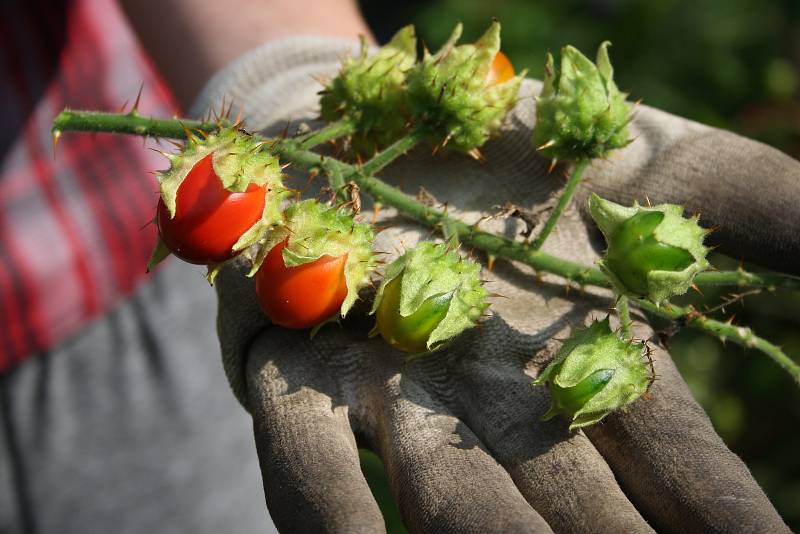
x: 74, y: 232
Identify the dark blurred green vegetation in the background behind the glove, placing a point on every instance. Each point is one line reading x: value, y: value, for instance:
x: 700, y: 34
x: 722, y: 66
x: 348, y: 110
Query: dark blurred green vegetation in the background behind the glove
x: 734, y: 64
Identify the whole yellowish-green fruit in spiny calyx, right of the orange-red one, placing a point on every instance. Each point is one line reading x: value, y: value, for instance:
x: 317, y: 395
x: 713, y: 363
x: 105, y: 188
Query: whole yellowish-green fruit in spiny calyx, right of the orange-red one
x: 428, y: 296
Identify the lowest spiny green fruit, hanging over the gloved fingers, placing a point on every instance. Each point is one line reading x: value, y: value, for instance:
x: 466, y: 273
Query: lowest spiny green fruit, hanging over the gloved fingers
x: 594, y: 373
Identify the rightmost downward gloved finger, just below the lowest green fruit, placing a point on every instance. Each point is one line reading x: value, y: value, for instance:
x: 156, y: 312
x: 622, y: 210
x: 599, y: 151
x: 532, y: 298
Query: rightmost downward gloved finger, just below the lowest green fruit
x: 676, y: 469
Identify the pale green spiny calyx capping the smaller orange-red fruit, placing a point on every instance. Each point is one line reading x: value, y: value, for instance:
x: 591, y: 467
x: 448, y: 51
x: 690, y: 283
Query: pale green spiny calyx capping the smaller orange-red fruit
x: 314, y: 230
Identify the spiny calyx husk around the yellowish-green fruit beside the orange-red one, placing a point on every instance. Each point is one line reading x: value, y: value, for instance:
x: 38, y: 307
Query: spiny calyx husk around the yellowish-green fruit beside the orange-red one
x: 435, y: 276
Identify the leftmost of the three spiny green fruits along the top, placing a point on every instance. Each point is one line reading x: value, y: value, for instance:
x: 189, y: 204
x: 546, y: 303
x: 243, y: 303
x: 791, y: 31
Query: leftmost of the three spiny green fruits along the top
x: 370, y: 92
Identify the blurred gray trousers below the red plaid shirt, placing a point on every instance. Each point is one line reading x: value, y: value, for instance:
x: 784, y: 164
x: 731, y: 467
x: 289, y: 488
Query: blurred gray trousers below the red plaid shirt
x: 130, y: 426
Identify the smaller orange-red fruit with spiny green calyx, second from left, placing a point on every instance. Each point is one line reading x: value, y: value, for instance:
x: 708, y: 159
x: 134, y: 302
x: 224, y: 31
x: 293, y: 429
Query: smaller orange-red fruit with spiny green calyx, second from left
x: 311, y: 267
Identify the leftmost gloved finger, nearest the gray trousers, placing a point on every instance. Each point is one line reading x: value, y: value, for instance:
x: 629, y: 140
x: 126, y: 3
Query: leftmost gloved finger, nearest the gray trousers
x: 306, y: 449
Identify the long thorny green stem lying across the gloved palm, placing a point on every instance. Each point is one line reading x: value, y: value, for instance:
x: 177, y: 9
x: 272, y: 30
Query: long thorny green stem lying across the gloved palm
x: 290, y: 151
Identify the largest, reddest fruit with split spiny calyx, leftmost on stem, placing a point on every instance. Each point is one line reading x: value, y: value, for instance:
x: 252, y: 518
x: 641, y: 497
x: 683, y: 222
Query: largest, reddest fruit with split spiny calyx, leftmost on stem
x: 220, y: 195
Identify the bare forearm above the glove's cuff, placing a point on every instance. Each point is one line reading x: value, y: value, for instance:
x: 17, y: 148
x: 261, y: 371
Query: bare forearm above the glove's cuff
x: 190, y: 40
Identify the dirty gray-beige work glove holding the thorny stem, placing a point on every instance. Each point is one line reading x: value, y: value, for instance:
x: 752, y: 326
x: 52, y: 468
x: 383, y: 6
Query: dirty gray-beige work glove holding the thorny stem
x: 459, y: 431
